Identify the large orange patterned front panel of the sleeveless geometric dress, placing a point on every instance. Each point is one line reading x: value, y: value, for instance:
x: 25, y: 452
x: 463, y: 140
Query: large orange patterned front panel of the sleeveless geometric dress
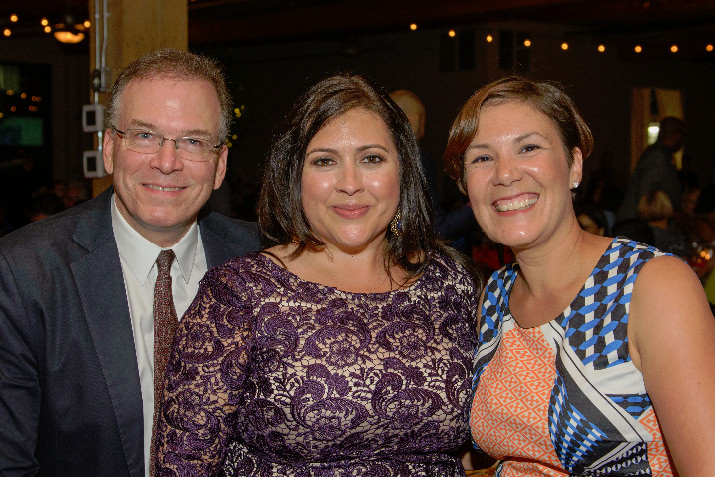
x: 510, y: 408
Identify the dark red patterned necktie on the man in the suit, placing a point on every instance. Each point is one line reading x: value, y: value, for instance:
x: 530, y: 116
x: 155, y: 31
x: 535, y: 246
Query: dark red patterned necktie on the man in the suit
x: 165, y: 322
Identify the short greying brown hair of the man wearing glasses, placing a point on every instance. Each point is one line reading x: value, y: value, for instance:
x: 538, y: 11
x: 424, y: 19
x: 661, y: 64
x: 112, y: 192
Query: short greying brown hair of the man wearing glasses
x: 179, y: 65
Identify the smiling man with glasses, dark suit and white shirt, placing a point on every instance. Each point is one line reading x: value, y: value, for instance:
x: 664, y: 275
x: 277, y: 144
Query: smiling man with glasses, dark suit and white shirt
x: 77, y: 289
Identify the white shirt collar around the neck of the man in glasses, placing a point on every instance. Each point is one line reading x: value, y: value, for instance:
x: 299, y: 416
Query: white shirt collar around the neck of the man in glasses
x: 140, y: 254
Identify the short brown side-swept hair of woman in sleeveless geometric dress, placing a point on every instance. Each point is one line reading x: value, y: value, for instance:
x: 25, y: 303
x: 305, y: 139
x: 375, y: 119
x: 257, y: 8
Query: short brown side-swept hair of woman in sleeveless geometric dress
x: 546, y: 97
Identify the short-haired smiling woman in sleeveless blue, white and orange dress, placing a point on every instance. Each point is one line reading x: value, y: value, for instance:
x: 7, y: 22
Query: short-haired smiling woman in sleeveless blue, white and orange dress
x: 596, y: 355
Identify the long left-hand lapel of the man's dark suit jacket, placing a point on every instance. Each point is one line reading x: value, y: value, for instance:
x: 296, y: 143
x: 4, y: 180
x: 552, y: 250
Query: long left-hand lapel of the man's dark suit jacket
x: 100, y: 282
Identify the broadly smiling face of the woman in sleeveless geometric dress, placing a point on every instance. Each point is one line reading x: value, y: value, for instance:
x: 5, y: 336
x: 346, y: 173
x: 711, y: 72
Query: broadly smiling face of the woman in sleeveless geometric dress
x: 517, y: 175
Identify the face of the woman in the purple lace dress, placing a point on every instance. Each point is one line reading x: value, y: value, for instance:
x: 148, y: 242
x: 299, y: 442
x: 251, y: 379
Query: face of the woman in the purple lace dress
x: 351, y: 181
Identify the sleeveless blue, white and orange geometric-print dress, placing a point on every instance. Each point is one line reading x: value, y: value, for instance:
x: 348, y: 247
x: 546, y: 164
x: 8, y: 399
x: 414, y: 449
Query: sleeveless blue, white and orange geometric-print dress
x: 565, y: 397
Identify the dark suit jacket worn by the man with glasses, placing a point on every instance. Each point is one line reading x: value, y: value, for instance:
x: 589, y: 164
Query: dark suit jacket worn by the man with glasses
x: 70, y: 400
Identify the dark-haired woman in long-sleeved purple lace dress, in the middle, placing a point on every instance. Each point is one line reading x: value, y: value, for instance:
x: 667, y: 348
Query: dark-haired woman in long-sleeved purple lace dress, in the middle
x: 346, y: 348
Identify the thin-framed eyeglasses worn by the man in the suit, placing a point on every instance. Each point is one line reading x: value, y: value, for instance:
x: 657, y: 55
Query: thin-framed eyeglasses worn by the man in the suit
x: 149, y: 142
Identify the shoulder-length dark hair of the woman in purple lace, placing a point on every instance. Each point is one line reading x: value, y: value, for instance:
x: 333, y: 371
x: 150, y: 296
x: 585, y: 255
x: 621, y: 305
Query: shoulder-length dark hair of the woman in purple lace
x: 281, y: 216
